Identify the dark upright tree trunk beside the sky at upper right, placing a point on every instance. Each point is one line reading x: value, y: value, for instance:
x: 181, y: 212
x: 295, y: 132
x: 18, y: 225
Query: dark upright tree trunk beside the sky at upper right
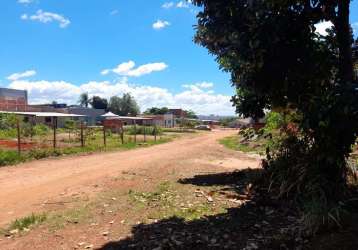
x: 345, y: 42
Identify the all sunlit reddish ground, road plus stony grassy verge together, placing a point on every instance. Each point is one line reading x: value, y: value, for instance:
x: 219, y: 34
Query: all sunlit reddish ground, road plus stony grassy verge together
x: 89, y: 201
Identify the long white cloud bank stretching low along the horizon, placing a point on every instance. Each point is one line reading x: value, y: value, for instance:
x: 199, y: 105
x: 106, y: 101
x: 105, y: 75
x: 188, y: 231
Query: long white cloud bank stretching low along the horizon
x: 198, y: 99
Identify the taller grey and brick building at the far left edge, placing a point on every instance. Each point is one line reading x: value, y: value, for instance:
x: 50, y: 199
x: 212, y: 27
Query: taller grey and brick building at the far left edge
x: 13, y: 99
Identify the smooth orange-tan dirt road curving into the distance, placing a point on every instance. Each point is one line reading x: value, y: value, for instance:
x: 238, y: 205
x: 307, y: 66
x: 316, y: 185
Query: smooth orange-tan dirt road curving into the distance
x: 26, y: 188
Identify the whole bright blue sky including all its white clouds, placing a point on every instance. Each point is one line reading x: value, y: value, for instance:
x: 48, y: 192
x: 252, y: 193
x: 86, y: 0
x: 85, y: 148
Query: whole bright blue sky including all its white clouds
x: 60, y: 49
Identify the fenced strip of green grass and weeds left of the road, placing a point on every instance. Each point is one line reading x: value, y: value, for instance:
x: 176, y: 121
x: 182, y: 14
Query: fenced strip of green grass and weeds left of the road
x: 37, y: 140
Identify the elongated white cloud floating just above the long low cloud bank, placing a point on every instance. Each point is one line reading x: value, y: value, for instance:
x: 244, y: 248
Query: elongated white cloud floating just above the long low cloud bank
x: 128, y: 69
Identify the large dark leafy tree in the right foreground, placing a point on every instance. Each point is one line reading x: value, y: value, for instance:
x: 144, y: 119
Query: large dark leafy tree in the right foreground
x: 277, y: 61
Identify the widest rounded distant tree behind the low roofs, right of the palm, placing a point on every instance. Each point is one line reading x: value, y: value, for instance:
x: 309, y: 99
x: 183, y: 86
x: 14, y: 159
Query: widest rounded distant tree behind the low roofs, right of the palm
x: 124, y: 106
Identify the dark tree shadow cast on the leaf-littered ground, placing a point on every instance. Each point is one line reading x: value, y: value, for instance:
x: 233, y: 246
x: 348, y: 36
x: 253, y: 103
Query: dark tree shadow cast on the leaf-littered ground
x: 252, y: 224
